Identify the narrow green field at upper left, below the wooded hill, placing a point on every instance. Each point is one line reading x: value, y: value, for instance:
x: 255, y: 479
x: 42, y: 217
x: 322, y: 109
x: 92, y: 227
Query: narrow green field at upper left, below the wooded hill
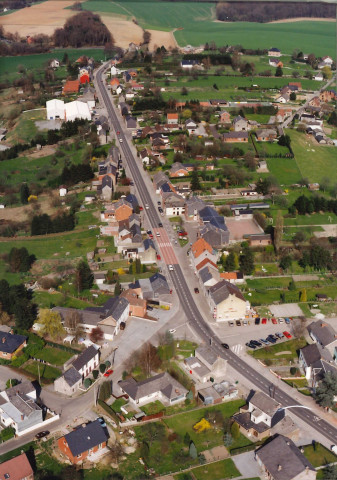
x: 9, y: 65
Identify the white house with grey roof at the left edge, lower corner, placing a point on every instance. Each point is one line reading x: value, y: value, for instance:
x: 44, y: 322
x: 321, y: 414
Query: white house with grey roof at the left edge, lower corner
x: 18, y: 408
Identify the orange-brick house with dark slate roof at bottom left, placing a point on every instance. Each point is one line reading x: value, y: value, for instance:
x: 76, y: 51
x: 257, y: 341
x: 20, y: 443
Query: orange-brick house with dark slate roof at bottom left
x: 88, y: 439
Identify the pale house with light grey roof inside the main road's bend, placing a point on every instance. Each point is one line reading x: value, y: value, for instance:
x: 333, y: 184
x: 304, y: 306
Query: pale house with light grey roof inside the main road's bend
x: 205, y: 365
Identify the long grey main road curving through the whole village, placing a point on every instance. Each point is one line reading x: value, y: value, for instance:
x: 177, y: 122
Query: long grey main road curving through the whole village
x: 193, y: 315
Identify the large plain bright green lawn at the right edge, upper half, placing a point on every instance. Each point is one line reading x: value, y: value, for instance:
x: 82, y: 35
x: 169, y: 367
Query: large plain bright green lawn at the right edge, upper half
x: 314, y: 161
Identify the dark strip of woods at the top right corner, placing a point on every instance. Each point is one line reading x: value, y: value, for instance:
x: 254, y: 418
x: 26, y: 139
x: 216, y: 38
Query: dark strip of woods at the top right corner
x: 269, y: 11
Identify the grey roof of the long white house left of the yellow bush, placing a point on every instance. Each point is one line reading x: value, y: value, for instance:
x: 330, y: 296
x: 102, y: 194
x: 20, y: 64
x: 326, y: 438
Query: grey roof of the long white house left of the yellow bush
x: 163, y: 382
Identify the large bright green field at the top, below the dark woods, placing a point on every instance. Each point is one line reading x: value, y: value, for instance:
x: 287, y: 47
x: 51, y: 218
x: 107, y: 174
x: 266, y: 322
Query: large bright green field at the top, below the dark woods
x: 195, y: 26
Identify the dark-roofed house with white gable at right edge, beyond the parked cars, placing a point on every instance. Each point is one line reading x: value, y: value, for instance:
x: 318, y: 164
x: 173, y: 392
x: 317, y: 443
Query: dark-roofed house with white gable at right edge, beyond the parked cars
x: 316, y: 362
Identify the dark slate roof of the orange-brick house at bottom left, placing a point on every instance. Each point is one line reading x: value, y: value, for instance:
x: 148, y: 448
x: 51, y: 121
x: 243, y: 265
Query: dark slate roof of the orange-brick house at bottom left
x: 84, y: 438
